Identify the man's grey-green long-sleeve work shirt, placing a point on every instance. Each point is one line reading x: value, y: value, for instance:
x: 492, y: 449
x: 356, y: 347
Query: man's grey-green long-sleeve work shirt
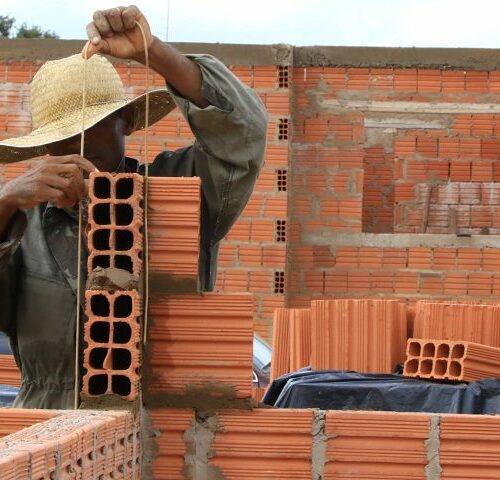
x: 38, y: 260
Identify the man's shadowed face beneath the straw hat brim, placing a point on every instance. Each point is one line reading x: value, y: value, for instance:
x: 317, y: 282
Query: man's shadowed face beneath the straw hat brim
x: 104, y: 142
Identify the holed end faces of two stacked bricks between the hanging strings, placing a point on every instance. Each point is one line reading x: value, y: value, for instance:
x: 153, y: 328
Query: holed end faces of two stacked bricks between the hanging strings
x: 112, y: 335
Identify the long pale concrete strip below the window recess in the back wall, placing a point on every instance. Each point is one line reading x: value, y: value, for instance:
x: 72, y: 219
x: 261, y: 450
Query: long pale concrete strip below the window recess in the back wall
x: 398, y: 240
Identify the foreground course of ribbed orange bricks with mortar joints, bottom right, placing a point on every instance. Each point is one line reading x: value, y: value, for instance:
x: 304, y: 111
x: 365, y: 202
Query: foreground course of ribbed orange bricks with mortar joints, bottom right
x: 330, y: 445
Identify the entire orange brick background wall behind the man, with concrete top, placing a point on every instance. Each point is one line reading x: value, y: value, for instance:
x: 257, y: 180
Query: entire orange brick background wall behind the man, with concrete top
x: 367, y: 164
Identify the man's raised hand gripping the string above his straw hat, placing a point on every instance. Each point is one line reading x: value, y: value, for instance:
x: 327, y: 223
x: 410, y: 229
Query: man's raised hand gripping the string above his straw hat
x: 115, y: 32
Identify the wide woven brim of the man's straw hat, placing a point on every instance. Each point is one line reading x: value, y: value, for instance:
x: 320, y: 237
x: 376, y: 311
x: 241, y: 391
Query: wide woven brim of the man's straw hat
x: 34, y: 144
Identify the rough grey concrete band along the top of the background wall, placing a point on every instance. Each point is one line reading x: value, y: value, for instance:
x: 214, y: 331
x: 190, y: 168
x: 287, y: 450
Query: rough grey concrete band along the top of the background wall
x: 311, y: 56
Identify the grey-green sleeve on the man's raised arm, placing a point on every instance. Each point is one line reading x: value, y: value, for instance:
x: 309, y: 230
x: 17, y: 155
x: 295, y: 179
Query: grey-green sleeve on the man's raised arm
x: 230, y: 141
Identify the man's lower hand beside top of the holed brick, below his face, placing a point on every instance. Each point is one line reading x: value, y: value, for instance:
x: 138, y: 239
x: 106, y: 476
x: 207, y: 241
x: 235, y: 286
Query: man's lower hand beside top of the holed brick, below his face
x: 55, y: 179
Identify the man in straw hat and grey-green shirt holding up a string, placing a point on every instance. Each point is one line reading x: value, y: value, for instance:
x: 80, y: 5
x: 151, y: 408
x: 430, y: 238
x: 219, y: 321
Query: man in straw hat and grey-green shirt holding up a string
x: 38, y: 214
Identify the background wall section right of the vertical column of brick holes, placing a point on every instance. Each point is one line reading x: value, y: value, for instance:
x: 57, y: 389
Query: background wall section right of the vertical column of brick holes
x: 378, y: 149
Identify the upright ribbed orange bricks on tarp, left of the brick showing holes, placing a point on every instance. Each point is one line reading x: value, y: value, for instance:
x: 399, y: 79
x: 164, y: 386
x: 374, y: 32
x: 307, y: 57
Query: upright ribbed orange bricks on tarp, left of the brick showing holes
x: 366, y: 335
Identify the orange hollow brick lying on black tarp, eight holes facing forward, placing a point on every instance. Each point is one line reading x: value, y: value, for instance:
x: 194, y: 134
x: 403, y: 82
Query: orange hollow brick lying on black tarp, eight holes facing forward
x: 449, y: 360
